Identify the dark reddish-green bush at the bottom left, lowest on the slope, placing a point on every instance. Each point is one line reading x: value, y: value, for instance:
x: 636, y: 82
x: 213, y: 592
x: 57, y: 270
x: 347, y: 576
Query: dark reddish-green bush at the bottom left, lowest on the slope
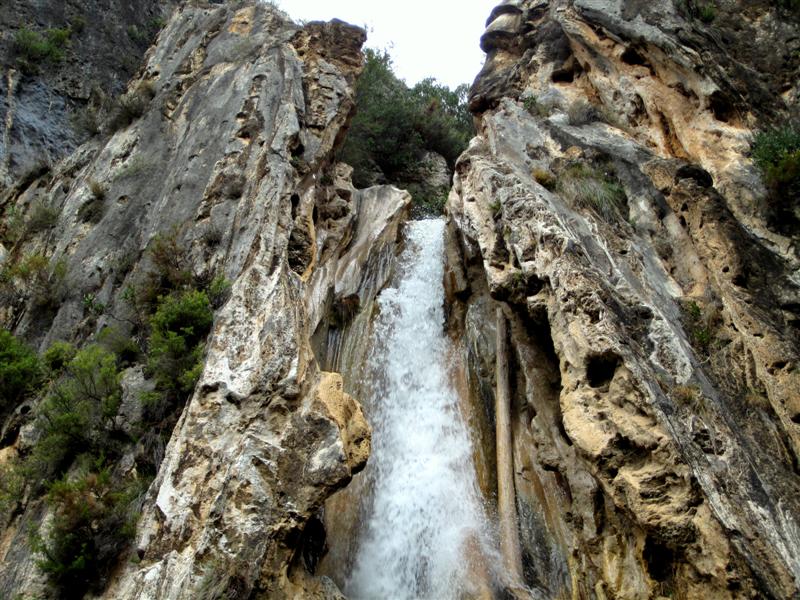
x: 94, y: 517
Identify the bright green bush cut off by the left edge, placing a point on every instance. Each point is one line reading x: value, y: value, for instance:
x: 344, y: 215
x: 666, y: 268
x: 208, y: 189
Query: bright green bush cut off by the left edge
x: 20, y: 371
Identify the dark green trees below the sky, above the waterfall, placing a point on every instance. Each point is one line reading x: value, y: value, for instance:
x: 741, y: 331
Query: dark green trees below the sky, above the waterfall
x: 395, y: 125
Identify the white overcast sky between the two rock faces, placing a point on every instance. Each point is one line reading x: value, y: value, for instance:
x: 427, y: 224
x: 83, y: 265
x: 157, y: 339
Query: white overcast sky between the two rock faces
x: 425, y: 38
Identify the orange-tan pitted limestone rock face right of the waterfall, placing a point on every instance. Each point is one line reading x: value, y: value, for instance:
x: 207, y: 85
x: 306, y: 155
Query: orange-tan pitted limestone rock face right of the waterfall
x: 608, y: 205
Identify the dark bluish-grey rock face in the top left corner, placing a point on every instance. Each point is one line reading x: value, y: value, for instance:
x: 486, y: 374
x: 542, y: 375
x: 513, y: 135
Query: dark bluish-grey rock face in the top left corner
x: 40, y: 110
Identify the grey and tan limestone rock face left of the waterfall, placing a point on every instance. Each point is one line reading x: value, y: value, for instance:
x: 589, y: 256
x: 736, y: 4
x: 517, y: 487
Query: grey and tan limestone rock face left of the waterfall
x: 232, y: 159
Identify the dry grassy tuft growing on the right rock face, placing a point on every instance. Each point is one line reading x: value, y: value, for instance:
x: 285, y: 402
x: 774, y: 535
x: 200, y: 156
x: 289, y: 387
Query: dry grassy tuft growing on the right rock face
x: 593, y: 188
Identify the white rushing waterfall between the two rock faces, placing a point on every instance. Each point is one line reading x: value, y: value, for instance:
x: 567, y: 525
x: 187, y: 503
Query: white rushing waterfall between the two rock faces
x: 424, y: 533
